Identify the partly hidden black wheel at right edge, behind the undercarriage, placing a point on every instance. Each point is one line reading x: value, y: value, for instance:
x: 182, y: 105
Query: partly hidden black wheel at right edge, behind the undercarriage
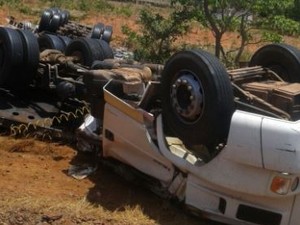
x: 283, y: 59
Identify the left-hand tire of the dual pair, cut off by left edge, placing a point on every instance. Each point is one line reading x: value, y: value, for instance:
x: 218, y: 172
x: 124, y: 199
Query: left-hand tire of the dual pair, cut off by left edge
x: 11, y: 57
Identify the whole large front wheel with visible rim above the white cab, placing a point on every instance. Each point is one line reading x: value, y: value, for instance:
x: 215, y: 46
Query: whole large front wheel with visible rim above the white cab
x: 197, y: 98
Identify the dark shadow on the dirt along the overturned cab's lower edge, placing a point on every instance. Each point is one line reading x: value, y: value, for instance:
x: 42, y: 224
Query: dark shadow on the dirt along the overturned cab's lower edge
x: 113, y: 192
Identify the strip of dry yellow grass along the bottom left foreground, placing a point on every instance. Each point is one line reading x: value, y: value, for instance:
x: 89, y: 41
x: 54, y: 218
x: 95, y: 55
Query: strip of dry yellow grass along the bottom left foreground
x: 31, y: 210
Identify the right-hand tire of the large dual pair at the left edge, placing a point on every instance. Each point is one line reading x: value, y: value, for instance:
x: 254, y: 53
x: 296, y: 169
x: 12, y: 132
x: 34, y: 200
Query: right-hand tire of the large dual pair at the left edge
x: 31, y: 55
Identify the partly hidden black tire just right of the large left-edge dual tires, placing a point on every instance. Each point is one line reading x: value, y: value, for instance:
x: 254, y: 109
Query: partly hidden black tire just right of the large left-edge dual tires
x: 50, y: 41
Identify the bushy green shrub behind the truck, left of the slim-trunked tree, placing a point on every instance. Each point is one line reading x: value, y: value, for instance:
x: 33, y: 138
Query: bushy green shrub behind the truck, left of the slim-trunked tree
x: 155, y: 41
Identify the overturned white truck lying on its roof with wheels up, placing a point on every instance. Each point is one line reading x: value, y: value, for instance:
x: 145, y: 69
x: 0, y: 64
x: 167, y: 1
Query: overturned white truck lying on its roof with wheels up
x: 225, y: 143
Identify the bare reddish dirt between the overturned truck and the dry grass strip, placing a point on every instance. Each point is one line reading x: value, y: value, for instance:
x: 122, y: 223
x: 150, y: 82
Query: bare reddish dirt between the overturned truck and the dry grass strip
x: 38, y: 170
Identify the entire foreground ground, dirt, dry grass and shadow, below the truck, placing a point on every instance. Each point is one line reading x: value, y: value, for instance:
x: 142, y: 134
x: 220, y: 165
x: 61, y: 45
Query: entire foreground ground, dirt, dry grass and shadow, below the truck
x: 36, y: 189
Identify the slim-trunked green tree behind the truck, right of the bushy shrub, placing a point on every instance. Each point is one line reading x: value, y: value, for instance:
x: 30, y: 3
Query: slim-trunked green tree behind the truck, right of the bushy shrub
x: 221, y: 16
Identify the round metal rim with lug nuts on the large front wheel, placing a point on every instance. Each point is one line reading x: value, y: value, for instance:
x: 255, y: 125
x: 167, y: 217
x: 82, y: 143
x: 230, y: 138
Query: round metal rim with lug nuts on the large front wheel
x: 187, y: 97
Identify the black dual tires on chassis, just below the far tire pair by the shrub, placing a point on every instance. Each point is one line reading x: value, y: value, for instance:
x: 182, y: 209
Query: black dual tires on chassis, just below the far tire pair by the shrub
x: 88, y: 50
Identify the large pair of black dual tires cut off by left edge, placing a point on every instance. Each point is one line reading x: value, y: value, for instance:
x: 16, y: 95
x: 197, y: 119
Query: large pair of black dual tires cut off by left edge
x: 19, y: 57
